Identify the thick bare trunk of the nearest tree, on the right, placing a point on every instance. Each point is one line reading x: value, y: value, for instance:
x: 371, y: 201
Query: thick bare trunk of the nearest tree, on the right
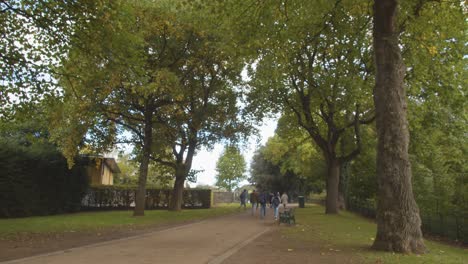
x: 398, y: 221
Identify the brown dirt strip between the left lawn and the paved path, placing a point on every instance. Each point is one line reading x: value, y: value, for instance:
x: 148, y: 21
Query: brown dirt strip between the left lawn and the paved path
x: 26, y: 245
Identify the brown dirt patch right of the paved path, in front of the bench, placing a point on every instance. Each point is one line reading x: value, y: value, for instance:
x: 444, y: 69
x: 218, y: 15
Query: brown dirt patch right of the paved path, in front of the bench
x: 273, y: 247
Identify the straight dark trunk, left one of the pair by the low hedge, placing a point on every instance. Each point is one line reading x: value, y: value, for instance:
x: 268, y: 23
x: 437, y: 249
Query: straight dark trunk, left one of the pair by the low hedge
x: 140, y: 199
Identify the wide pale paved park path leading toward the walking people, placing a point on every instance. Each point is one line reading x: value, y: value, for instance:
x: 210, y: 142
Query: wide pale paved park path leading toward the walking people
x: 210, y: 241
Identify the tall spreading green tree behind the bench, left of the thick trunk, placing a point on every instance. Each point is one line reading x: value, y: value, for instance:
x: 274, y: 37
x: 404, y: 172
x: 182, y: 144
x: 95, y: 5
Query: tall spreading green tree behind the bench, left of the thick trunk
x: 317, y: 67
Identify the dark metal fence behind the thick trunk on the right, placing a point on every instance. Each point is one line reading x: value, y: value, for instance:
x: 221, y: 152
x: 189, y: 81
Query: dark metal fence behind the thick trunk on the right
x: 452, y: 226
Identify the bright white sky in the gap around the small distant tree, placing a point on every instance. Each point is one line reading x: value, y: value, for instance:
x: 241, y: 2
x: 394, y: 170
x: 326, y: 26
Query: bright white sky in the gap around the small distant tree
x: 206, y: 160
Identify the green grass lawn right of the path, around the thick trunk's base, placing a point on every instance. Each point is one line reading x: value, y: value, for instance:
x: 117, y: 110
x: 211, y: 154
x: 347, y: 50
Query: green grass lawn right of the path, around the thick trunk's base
x: 354, y: 234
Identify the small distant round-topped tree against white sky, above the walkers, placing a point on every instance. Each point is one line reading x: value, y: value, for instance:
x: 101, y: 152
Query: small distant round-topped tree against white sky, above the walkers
x: 230, y: 168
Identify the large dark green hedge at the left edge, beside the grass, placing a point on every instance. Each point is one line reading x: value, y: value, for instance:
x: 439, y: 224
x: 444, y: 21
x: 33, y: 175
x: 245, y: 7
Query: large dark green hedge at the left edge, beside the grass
x: 35, y: 180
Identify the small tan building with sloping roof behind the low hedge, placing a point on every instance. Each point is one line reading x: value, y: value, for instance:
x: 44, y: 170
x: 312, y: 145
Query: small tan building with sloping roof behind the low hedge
x: 101, y: 170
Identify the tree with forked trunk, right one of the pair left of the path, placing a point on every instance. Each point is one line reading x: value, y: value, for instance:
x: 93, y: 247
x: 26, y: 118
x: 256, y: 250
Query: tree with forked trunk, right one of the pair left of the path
x: 208, y: 109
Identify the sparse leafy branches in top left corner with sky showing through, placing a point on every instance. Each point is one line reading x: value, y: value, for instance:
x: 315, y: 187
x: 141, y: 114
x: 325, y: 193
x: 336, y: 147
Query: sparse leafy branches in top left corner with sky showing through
x: 36, y: 36
